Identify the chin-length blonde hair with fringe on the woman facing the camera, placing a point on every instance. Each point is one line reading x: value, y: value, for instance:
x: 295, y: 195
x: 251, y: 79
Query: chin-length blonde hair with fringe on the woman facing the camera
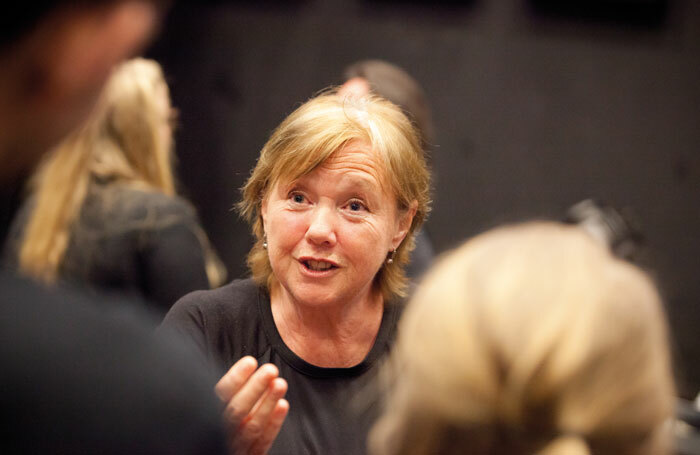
x: 310, y: 136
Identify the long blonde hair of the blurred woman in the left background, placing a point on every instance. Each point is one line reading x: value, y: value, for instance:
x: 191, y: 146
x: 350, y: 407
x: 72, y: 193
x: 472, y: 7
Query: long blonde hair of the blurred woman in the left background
x: 121, y: 141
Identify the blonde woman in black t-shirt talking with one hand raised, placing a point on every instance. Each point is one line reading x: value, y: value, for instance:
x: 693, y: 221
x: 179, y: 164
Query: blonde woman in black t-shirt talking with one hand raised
x: 334, y: 202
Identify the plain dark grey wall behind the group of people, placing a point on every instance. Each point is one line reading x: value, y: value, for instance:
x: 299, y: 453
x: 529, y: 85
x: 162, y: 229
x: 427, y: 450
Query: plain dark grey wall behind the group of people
x: 533, y: 113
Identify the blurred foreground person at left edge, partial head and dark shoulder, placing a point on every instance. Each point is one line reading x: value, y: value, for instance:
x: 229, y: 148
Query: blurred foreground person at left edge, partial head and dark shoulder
x: 80, y: 375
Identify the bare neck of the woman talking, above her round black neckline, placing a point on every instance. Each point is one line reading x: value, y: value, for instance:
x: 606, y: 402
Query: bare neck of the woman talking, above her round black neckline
x: 338, y: 336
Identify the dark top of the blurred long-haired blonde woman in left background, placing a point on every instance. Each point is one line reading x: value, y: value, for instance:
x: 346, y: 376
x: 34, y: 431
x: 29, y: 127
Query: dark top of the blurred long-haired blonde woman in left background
x: 129, y: 240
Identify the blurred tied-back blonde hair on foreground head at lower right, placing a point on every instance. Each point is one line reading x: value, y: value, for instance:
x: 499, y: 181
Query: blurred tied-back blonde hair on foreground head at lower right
x: 530, y: 339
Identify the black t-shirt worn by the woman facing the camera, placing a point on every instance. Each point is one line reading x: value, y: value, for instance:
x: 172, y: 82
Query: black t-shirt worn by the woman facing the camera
x: 331, y: 409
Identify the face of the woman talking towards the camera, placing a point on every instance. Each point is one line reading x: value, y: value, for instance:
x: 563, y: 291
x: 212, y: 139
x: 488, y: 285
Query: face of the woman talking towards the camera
x: 329, y: 232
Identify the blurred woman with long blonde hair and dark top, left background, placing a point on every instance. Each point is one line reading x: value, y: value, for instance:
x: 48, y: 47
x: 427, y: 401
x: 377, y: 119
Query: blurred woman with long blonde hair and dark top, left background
x: 103, y: 209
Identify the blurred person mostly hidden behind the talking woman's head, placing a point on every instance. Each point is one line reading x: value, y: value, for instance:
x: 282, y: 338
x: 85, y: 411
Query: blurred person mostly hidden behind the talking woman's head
x: 396, y: 85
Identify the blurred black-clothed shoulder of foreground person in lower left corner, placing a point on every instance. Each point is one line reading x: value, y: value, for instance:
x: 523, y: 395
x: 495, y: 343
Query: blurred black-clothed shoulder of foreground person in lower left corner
x: 80, y: 376
